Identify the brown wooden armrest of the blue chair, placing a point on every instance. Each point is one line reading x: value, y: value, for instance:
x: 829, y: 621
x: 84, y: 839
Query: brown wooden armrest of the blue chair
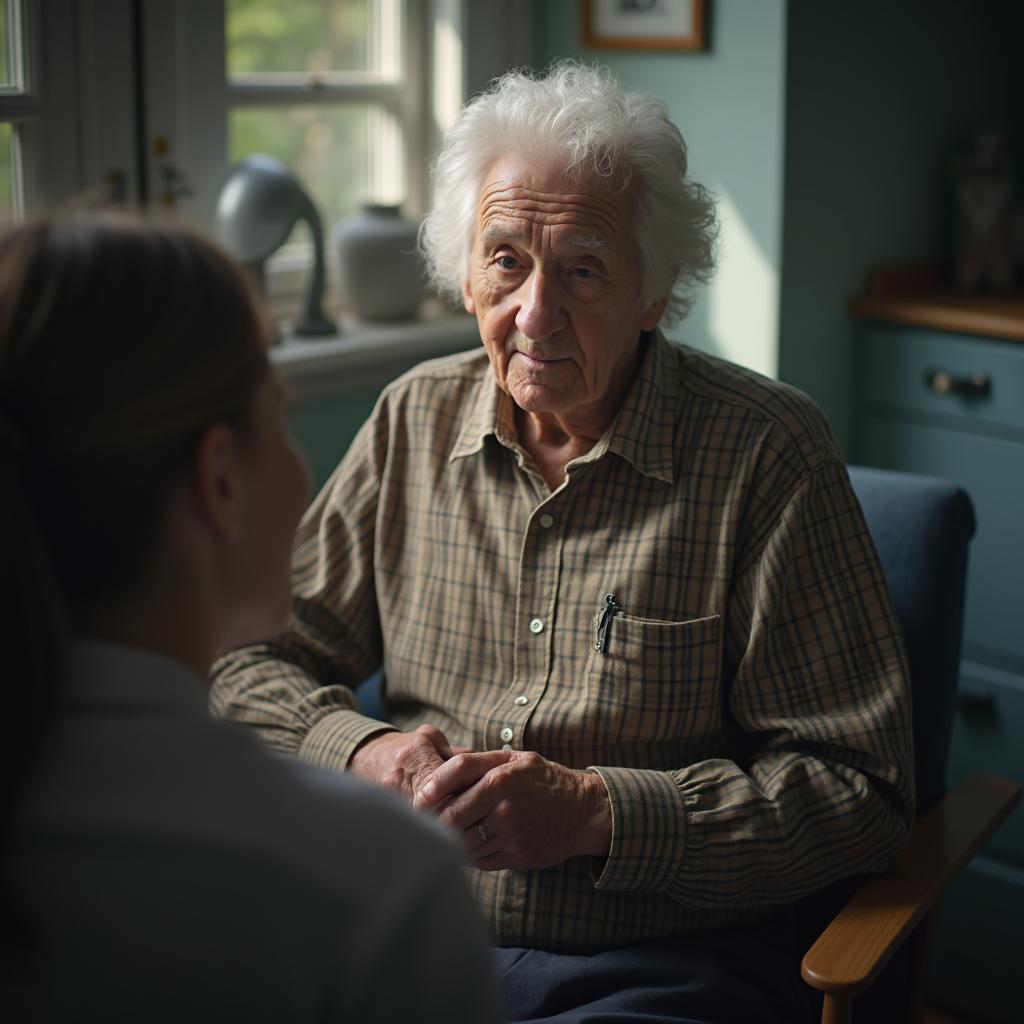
x: 859, y: 943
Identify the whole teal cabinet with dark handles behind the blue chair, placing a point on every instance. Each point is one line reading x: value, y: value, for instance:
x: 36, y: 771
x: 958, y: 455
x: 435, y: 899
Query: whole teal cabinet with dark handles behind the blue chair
x: 953, y: 406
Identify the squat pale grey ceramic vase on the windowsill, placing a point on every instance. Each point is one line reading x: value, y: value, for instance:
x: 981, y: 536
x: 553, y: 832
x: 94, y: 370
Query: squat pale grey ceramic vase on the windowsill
x: 379, y: 267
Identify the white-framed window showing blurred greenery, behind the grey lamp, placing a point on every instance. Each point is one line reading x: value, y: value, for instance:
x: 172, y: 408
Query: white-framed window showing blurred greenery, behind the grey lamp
x: 335, y: 93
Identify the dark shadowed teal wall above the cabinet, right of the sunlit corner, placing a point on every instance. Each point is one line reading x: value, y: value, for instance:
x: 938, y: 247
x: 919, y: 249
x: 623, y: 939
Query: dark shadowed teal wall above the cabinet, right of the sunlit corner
x: 879, y: 96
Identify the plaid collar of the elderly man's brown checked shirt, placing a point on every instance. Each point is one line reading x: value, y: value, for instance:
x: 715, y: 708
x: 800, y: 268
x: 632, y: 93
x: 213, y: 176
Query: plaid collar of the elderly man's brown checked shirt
x: 643, y: 433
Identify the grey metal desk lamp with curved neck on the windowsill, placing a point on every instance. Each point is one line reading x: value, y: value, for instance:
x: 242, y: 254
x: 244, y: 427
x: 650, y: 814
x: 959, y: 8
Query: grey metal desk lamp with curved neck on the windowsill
x: 259, y: 205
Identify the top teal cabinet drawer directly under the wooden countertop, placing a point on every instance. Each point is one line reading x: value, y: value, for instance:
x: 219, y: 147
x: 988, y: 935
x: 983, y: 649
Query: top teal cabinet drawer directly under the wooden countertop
x: 899, y: 363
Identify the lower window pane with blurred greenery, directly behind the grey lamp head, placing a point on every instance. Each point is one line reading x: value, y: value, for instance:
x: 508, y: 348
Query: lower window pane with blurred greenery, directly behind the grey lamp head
x: 343, y: 155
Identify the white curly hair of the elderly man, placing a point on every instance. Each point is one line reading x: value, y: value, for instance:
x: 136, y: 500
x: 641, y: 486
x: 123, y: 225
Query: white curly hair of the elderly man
x: 580, y: 114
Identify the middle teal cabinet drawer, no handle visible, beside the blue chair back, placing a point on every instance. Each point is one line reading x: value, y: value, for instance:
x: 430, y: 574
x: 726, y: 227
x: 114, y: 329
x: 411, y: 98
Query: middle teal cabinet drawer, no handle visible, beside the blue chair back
x: 992, y: 471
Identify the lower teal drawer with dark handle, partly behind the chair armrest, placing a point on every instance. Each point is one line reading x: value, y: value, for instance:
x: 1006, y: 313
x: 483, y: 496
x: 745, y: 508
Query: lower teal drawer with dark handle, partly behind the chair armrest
x: 989, y: 729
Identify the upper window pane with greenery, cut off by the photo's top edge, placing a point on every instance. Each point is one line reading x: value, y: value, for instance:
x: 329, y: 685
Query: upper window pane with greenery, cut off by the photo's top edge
x: 302, y: 36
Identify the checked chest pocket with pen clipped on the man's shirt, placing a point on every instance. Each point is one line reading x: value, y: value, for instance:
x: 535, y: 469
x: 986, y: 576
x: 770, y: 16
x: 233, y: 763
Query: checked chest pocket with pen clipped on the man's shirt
x: 656, y: 680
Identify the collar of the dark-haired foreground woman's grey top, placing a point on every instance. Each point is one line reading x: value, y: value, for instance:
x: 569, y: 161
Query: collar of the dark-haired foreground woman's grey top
x: 134, y: 678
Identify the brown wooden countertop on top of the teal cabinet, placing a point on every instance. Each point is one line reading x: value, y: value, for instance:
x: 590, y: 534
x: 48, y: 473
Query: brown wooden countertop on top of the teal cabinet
x: 915, y: 296
